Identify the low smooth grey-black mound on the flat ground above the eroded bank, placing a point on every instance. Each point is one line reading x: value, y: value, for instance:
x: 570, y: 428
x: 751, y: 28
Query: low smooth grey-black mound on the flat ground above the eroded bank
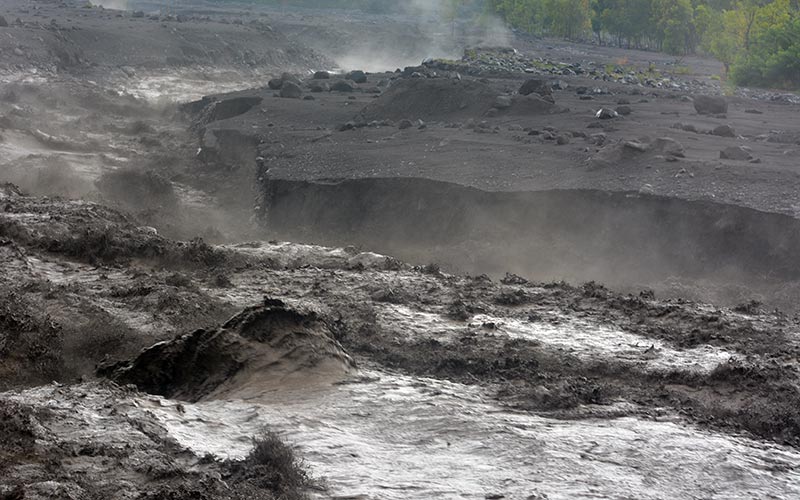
x: 432, y: 98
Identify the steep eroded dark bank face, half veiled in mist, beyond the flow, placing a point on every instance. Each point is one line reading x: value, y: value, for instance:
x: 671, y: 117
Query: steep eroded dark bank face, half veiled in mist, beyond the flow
x: 624, y: 239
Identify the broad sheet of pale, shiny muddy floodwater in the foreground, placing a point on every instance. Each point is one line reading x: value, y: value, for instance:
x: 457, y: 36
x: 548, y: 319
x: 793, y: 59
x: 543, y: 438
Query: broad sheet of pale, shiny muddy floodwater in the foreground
x: 394, y: 437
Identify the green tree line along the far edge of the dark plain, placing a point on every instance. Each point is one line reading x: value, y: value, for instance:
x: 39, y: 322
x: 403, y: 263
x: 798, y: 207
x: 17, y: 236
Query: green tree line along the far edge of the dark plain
x: 758, y: 41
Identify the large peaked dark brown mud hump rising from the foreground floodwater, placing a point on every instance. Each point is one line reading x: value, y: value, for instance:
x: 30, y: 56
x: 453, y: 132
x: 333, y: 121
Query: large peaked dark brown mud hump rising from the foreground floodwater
x: 263, y: 348
